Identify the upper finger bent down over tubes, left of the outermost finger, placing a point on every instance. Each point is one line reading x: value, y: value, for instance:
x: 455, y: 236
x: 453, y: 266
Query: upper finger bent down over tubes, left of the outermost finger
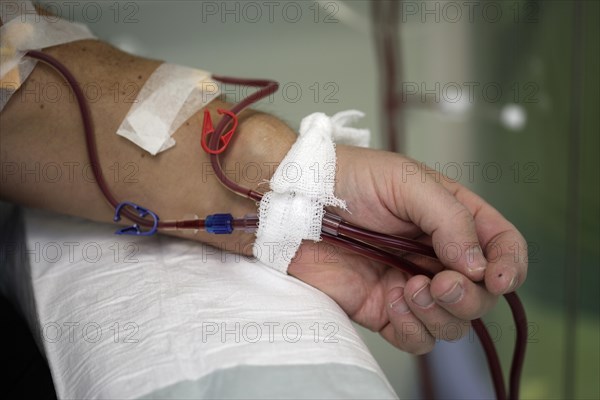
x: 438, y: 213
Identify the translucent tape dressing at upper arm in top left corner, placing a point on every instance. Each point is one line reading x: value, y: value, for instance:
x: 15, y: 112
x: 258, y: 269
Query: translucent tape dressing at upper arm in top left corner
x: 24, y: 29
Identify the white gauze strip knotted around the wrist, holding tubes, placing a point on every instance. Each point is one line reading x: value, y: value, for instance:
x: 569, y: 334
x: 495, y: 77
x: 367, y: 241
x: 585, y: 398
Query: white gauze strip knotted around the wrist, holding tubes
x: 302, y: 186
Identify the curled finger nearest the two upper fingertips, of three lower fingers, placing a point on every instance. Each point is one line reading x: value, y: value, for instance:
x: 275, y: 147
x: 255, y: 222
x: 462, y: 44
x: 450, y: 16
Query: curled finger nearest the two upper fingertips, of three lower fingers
x: 460, y: 296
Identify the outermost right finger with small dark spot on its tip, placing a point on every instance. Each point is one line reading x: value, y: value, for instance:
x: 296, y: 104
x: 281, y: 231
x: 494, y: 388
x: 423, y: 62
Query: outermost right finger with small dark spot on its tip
x: 504, y: 247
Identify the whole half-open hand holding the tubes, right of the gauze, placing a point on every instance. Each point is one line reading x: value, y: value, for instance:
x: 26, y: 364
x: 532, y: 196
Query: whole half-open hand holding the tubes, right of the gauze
x: 478, y: 251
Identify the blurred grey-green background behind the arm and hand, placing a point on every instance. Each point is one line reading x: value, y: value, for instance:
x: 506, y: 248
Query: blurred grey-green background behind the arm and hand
x: 523, y: 134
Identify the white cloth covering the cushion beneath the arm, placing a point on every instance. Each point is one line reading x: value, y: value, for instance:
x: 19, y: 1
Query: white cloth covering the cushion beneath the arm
x: 123, y: 316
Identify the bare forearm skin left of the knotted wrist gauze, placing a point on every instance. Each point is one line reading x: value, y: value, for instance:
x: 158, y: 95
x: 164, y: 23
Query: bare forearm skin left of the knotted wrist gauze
x: 44, y: 159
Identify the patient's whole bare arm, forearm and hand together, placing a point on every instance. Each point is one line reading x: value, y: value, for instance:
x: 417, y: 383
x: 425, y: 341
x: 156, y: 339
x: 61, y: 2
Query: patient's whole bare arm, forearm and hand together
x: 44, y: 164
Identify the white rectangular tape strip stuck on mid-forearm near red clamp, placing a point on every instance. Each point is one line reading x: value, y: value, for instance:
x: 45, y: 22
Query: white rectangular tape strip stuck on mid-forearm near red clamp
x: 168, y: 98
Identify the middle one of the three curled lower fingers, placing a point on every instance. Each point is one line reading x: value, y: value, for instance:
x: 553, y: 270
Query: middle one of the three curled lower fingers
x: 439, y: 322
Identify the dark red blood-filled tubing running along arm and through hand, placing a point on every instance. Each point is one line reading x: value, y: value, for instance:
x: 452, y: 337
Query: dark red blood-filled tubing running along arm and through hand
x: 335, y: 230
